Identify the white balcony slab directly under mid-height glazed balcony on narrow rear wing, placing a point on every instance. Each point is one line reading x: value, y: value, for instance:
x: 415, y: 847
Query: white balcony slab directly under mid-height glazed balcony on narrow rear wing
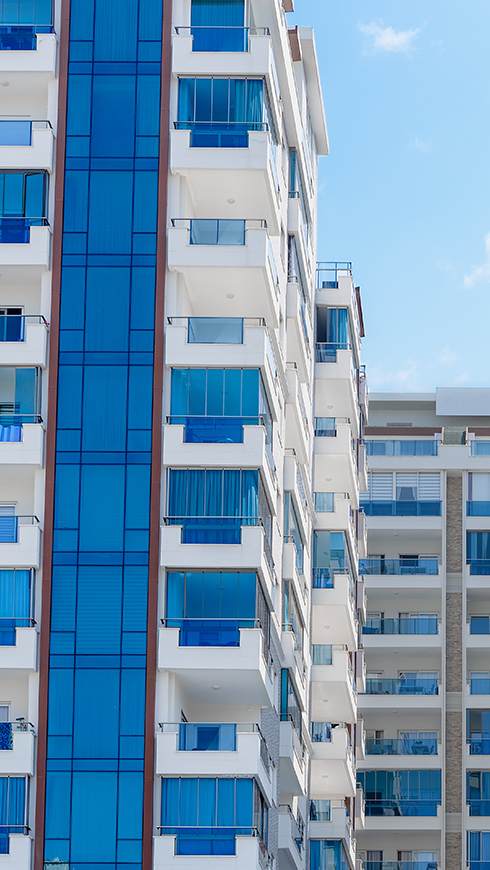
x: 333, y: 617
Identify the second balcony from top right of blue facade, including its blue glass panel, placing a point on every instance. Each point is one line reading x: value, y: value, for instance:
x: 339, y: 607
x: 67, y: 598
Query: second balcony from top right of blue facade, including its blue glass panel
x: 247, y: 173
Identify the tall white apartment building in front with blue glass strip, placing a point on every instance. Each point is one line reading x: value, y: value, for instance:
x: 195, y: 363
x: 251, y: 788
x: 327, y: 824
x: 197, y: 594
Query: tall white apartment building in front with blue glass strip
x: 182, y: 408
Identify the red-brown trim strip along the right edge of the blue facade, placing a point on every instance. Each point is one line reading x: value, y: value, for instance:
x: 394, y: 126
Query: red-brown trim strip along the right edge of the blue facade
x: 156, y: 455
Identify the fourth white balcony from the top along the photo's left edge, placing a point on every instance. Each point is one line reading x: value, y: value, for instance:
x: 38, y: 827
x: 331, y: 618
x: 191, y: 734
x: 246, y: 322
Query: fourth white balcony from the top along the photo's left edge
x: 23, y: 340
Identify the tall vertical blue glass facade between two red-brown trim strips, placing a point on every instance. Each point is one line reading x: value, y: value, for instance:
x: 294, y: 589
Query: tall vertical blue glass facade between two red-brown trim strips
x: 98, y: 642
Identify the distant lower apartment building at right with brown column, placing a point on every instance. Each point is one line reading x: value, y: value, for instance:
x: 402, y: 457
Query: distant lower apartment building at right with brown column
x: 426, y: 706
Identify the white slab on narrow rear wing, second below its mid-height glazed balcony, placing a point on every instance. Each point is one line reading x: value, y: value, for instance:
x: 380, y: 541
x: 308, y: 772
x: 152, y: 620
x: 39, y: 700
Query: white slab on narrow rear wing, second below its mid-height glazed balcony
x: 332, y: 693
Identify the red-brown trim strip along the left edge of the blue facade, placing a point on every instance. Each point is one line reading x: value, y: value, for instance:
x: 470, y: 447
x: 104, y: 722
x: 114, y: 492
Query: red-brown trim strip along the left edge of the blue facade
x: 57, y: 242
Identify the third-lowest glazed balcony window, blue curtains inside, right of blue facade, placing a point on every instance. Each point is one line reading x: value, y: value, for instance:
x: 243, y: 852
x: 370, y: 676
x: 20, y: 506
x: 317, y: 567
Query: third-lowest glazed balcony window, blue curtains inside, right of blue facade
x: 212, y: 505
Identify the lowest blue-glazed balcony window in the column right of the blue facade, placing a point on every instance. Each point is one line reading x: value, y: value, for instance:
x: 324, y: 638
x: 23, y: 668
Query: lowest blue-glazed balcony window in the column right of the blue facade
x: 207, y: 813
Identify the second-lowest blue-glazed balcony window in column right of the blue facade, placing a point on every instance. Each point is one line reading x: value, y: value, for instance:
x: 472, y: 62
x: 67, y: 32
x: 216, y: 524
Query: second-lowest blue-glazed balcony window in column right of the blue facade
x: 210, y: 607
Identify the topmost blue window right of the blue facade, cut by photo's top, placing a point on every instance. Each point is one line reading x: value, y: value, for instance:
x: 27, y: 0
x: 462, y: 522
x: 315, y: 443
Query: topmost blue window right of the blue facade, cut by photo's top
x: 219, y: 25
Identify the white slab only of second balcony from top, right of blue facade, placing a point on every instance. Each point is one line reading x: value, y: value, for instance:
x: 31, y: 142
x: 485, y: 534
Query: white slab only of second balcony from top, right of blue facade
x: 215, y: 175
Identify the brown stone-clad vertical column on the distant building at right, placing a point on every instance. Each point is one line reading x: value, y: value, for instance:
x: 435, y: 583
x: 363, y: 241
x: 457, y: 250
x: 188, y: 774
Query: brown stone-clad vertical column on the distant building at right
x: 454, y: 672
